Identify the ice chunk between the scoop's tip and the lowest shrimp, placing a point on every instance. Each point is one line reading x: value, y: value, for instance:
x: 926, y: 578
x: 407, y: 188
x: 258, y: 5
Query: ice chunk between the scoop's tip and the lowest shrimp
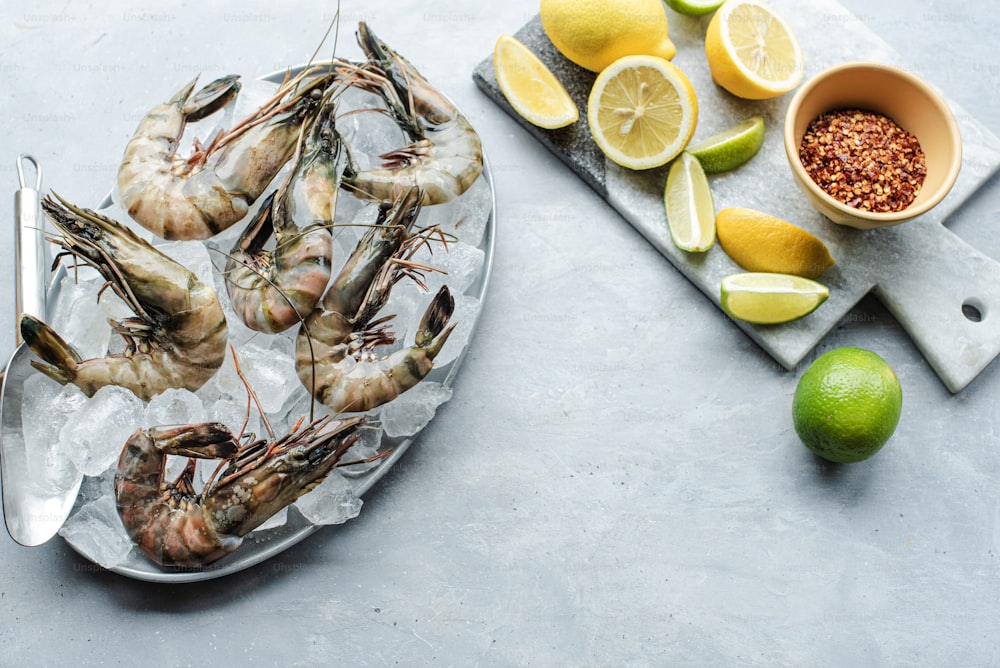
x: 96, y: 531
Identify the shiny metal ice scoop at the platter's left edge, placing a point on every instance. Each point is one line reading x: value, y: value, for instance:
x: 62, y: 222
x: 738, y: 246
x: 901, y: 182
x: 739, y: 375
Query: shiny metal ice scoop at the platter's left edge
x: 32, y: 509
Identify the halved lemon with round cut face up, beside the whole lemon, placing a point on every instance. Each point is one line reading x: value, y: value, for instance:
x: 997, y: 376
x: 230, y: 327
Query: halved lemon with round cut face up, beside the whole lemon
x: 642, y: 111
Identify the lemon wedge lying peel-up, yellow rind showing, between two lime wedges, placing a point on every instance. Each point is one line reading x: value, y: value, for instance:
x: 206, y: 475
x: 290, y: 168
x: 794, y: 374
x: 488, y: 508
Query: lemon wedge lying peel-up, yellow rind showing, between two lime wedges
x: 759, y: 242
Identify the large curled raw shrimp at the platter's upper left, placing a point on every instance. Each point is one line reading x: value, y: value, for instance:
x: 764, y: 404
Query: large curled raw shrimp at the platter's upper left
x: 199, y: 196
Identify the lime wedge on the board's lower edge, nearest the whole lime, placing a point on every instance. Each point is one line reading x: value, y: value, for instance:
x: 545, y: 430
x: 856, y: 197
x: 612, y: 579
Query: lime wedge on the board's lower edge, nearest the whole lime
x: 769, y: 299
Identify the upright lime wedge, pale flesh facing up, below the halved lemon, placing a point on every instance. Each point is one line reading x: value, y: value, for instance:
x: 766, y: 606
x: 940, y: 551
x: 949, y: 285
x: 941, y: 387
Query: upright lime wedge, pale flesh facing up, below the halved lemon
x: 689, y: 204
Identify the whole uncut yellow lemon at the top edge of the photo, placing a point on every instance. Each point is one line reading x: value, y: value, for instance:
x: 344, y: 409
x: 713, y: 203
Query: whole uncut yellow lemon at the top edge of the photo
x: 595, y: 33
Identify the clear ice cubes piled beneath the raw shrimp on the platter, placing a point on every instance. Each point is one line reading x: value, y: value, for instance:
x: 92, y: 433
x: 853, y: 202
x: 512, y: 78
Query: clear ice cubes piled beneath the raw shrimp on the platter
x: 69, y: 434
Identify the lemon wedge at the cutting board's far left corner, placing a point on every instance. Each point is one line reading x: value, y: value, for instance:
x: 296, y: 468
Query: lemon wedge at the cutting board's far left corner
x: 531, y: 88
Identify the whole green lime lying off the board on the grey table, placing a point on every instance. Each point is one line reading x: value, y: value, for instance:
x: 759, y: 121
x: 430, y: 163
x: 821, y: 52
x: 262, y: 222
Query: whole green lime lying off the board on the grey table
x: 847, y: 405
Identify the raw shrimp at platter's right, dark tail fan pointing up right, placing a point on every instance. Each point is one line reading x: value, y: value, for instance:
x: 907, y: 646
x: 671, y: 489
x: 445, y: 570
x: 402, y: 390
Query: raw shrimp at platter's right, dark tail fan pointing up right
x: 335, y: 348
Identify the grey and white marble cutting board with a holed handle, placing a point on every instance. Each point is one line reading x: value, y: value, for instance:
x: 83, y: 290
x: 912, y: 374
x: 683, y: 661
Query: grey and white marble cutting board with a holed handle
x: 944, y: 292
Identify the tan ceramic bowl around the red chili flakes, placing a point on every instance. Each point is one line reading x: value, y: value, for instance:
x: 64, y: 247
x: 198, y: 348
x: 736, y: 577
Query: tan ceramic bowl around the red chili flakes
x: 903, y: 97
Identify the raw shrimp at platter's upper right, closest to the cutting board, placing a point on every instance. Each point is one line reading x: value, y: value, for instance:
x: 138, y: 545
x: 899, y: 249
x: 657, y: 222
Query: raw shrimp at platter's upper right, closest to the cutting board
x: 446, y: 156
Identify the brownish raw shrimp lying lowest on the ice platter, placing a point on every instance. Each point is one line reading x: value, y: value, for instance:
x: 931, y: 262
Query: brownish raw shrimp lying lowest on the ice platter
x: 175, y: 526
